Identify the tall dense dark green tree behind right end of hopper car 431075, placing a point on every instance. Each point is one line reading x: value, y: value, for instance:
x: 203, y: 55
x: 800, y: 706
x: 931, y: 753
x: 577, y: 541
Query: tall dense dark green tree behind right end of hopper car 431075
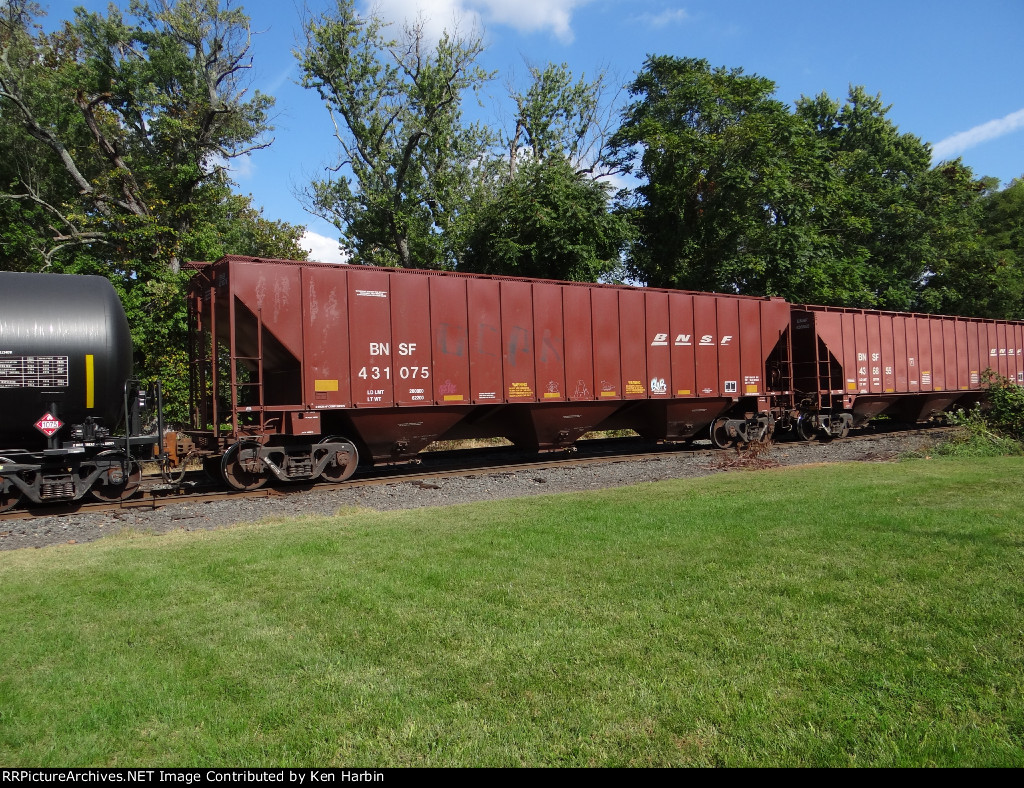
x: 726, y: 174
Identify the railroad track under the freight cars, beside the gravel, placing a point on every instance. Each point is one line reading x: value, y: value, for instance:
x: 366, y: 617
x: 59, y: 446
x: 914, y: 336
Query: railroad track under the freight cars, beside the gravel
x: 467, y: 463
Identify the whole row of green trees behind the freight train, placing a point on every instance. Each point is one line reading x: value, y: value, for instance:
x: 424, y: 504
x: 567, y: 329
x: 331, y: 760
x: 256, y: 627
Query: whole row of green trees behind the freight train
x: 119, y: 129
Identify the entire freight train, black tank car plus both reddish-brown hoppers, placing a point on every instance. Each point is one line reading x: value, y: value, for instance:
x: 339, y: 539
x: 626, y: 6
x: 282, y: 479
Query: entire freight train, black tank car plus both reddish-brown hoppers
x: 304, y: 371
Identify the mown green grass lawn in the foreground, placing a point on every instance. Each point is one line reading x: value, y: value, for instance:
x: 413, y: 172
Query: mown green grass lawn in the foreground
x: 842, y: 616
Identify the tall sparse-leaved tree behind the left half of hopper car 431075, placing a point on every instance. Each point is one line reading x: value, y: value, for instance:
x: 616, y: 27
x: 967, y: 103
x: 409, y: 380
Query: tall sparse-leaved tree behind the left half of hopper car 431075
x: 407, y: 169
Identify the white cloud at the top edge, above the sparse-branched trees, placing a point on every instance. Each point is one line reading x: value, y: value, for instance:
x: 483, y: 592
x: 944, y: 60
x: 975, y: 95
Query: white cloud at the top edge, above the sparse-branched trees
x: 524, y: 16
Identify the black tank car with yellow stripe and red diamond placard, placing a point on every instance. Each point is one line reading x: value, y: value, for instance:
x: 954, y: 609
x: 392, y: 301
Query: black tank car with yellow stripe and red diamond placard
x: 70, y: 412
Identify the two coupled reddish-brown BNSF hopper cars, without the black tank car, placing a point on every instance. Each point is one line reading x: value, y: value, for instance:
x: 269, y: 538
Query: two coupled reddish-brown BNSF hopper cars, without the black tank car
x: 301, y: 371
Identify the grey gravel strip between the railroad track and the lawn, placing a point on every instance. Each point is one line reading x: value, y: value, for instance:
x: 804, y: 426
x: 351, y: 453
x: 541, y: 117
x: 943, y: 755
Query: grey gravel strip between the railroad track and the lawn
x: 46, y: 532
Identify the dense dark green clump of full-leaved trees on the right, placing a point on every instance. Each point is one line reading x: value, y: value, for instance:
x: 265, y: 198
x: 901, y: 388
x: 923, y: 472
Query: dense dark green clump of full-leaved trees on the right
x: 827, y: 204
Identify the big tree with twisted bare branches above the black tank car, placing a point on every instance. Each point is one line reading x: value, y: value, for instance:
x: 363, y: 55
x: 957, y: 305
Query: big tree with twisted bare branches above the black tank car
x: 119, y: 135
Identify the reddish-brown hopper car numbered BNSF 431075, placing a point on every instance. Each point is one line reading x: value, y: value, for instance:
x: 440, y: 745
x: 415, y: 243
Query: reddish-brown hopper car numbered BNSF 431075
x: 386, y: 362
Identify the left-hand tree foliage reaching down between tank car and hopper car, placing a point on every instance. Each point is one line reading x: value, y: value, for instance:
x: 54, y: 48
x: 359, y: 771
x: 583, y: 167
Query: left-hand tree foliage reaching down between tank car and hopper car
x: 118, y: 132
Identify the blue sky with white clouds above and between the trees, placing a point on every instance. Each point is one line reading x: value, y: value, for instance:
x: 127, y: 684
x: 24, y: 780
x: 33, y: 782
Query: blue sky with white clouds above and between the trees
x: 954, y: 72
